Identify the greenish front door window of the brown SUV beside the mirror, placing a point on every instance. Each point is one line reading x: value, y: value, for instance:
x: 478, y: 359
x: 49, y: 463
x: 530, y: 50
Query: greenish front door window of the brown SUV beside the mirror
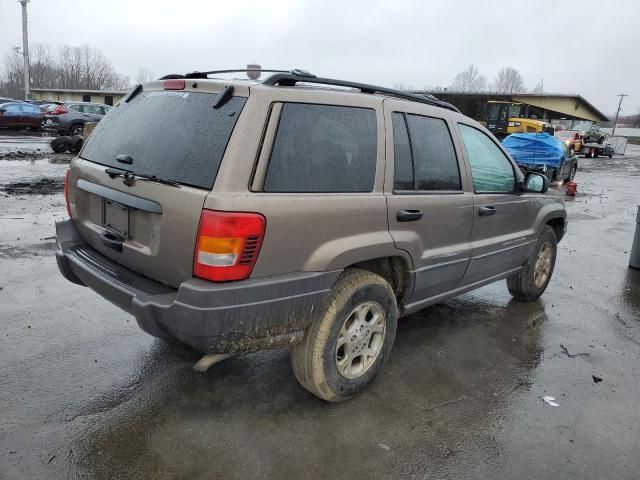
x: 491, y: 170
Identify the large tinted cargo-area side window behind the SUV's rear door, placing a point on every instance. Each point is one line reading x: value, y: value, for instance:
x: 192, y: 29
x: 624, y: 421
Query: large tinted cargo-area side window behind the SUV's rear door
x: 323, y: 148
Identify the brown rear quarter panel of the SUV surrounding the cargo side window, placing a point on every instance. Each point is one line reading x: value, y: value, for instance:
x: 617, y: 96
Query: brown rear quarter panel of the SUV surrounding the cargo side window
x: 305, y: 231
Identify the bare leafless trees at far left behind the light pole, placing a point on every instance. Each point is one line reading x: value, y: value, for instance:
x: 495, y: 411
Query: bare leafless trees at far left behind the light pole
x: 64, y: 66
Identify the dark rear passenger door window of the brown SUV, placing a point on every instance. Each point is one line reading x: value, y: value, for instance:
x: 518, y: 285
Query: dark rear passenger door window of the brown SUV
x: 425, y: 158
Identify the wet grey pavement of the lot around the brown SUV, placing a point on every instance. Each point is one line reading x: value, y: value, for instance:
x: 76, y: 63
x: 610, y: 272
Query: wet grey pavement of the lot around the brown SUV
x: 85, y: 394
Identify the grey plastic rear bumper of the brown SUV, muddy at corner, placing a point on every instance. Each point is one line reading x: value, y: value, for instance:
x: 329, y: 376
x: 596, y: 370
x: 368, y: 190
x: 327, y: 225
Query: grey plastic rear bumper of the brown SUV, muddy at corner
x: 212, y: 317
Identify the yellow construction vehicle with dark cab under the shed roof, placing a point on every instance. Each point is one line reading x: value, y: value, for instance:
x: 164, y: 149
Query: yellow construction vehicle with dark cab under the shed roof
x: 505, y: 118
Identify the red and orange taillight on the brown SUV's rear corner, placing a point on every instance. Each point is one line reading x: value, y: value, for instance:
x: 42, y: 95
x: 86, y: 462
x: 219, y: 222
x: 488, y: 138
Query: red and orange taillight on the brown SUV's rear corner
x: 228, y: 245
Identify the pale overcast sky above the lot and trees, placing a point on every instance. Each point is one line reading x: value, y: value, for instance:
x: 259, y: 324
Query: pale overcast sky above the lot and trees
x: 589, y: 47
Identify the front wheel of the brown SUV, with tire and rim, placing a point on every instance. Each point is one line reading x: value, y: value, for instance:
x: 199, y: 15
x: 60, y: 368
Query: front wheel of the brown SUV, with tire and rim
x: 531, y: 282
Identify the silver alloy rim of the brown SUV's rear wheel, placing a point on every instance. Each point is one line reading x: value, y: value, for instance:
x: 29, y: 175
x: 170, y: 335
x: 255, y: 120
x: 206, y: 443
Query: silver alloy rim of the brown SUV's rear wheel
x: 360, y: 340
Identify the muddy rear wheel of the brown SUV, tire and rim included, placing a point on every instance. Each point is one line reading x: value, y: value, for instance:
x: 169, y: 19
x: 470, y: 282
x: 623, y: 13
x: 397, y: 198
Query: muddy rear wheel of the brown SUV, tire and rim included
x: 349, y: 339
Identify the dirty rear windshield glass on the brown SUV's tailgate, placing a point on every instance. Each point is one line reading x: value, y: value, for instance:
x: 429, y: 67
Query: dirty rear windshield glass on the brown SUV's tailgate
x: 173, y: 135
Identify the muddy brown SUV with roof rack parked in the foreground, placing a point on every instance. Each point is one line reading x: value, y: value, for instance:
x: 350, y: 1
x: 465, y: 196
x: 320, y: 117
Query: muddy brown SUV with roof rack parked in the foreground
x: 236, y: 216
